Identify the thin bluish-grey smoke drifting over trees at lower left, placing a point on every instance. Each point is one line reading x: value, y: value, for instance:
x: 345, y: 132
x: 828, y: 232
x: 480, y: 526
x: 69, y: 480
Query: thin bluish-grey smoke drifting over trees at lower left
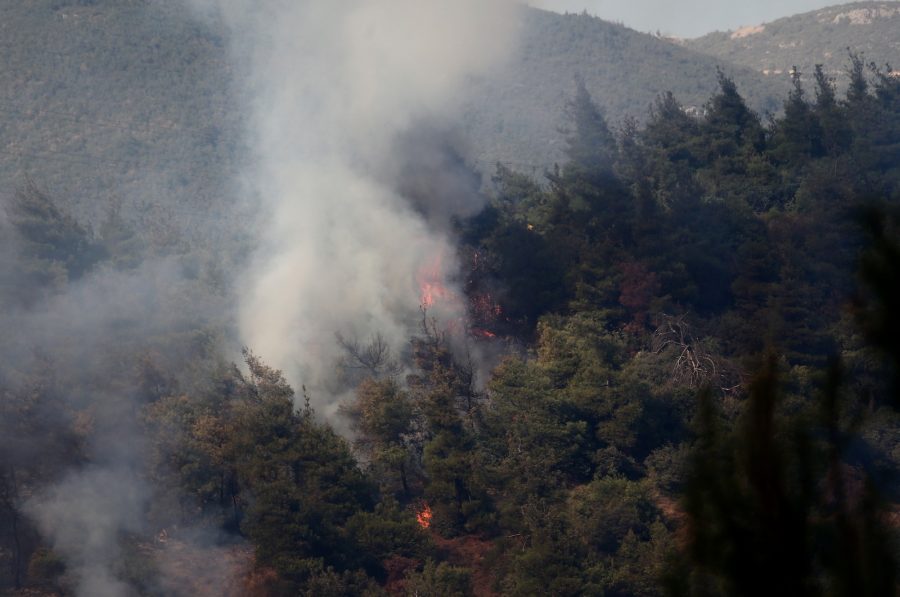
x: 78, y: 349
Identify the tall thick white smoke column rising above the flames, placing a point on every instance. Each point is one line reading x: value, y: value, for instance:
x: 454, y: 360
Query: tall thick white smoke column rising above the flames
x: 335, y: 84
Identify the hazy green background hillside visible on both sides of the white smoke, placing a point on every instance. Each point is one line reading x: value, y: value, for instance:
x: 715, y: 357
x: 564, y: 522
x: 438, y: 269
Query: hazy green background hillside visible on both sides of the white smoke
x: 134, y: 102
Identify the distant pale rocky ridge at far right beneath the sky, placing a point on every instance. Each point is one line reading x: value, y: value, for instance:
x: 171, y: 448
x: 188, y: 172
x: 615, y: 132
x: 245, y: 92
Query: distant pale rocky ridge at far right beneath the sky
x: 817, y: 37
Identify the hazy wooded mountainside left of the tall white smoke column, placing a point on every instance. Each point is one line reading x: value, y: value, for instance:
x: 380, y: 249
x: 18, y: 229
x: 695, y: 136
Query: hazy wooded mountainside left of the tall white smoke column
x: 117, y: 100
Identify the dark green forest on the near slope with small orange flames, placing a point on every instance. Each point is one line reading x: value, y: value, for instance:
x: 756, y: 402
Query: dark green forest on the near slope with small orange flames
x: 679, y: 376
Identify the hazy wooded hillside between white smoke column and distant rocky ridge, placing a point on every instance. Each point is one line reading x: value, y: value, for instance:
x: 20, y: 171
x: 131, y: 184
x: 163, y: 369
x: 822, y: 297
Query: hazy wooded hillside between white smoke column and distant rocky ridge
x: 515, y: 117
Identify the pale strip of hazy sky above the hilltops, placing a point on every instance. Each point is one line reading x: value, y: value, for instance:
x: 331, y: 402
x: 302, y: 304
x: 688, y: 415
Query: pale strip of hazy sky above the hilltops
x: 686, y: 18
